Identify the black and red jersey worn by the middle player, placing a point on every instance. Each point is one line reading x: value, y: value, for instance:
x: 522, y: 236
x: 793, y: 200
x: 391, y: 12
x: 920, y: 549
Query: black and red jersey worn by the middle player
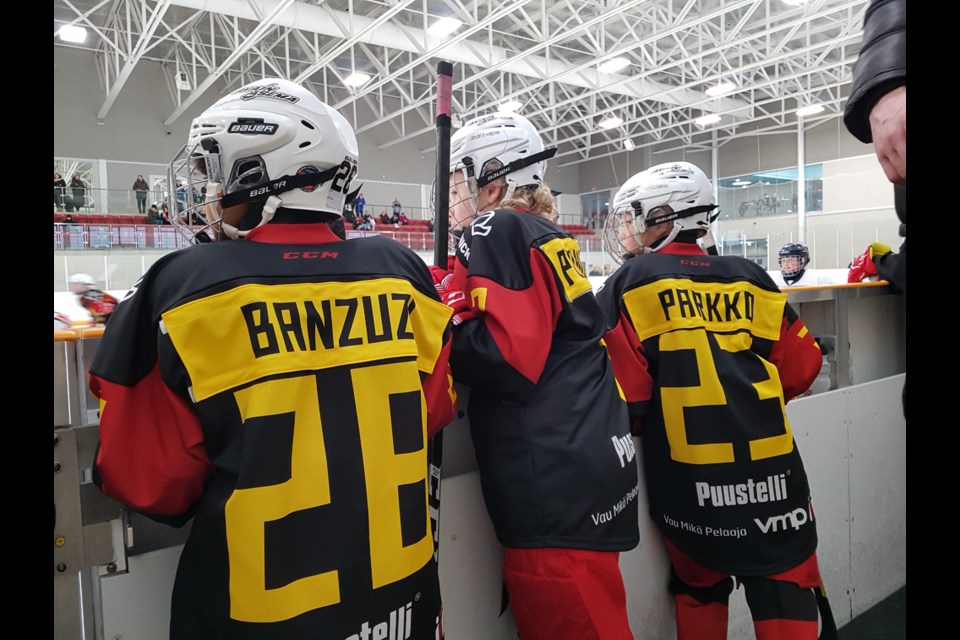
x: 551, y: 432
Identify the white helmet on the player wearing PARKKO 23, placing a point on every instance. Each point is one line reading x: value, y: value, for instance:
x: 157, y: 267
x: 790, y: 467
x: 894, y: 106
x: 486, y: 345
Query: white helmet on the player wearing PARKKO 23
x: 677, y: 192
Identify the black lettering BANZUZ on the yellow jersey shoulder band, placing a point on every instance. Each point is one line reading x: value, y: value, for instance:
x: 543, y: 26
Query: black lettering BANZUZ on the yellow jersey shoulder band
x: 306, y: 325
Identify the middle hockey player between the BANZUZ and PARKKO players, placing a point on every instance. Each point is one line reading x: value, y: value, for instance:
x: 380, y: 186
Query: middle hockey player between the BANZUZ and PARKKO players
x: 550, y: 430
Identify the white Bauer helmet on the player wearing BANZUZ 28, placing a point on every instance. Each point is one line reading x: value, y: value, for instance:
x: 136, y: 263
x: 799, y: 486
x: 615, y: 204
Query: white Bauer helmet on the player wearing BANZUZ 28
x: 271, y: 142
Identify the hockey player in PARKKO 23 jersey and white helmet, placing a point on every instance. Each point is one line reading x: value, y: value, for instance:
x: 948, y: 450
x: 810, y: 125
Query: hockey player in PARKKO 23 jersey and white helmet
x: 708, y: 351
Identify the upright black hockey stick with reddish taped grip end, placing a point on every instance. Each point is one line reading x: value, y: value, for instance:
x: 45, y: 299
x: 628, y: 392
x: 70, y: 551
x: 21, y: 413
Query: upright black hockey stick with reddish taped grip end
x: 440, y: 231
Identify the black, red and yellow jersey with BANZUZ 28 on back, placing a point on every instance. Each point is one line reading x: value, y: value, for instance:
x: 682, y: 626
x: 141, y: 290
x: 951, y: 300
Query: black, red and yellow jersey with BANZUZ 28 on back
x: 281, y: 390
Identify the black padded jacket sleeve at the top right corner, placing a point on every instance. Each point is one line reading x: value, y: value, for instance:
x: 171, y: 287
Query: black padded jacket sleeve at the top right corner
x: 881, y: 66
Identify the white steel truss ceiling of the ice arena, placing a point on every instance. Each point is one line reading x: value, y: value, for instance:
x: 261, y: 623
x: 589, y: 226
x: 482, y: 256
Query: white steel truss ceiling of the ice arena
x: 545, y: 54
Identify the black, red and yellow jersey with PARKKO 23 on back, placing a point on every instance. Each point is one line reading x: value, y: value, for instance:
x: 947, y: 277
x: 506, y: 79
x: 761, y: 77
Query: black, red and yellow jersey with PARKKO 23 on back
x: 708, y: 351
